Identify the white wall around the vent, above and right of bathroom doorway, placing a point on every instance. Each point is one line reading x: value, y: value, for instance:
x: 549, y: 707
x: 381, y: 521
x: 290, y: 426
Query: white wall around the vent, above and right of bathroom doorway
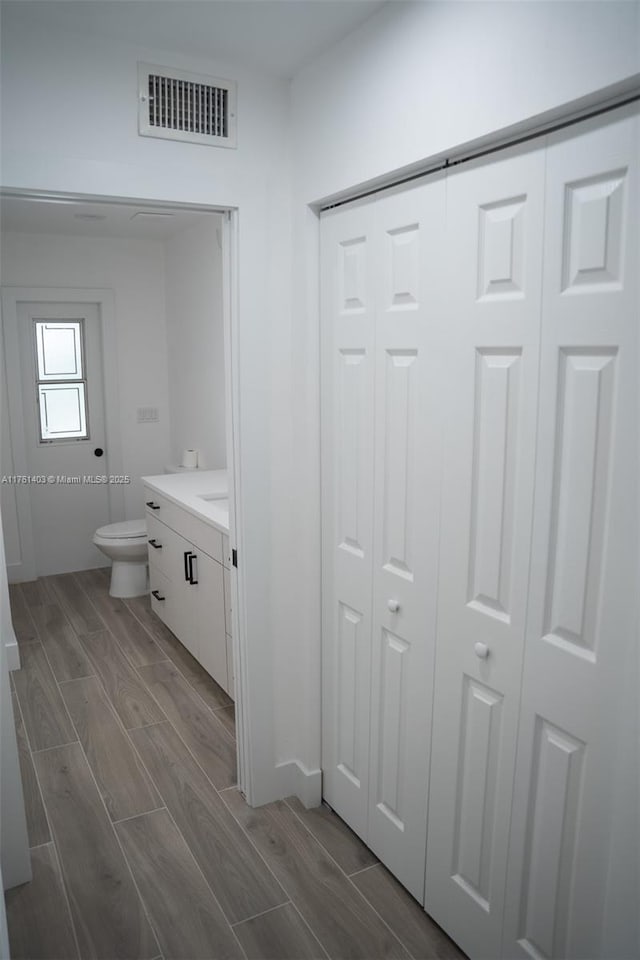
x: 83, y: 91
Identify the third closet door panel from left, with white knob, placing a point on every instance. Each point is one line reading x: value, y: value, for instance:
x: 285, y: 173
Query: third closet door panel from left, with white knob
x: 490, y: 354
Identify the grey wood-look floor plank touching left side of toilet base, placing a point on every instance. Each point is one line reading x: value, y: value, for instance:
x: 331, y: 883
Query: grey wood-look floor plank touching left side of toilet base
x: 136, y: 642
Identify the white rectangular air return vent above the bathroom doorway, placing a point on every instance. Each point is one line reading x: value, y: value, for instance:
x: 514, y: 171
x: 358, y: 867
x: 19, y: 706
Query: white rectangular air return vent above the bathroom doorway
x: 176, y: 105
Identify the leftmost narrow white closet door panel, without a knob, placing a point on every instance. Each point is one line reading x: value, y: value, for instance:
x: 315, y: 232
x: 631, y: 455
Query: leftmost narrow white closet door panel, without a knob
x: 348, y: 339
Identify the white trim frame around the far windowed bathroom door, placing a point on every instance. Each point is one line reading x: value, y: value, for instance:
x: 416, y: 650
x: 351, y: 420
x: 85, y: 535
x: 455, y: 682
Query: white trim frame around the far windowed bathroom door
x: 104, y: 300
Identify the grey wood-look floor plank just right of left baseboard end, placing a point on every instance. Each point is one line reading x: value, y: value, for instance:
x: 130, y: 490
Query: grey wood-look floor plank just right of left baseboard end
x: 45, y: 718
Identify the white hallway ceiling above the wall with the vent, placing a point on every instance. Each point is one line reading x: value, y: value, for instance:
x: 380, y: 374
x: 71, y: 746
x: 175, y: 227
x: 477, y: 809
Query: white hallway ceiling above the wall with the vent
x: 275, y: 36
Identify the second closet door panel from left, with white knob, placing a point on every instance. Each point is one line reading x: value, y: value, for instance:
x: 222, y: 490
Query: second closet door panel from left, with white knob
x: 409, y: 227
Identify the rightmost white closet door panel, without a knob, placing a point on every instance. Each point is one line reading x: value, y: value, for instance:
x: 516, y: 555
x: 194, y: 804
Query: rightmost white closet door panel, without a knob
x: 580, y: 632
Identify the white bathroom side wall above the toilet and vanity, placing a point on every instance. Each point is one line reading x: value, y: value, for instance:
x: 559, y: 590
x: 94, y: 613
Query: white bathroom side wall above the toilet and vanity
x: 195, y: 342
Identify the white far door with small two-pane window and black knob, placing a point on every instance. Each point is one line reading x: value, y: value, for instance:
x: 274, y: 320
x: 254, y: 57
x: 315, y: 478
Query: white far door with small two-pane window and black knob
x: 67, y: 510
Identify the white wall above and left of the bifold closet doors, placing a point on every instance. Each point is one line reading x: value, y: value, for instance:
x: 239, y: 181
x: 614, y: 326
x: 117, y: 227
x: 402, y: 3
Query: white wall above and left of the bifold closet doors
x: 414, y: 81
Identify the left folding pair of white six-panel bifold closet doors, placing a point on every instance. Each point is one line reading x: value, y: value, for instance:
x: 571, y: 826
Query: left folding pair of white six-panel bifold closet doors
x: 381, y: 267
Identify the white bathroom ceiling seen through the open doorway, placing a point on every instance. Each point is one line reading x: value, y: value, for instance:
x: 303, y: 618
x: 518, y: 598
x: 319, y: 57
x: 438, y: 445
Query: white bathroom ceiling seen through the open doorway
x: 73, y: 218
